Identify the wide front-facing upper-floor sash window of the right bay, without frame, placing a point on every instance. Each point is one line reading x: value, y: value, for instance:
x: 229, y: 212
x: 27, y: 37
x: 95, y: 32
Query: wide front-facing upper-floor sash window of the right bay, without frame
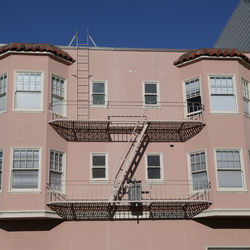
x: 222, y: 94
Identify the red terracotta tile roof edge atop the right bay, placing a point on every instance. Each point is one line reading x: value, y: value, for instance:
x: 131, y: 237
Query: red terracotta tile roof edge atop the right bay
x: 210, y: 52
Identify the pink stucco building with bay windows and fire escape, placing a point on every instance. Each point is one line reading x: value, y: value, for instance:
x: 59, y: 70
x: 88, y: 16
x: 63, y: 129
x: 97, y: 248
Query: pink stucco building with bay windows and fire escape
x: 114, y: 149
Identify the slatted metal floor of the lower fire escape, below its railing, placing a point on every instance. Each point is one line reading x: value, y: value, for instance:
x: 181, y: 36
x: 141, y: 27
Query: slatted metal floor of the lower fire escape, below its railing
x: 125, y: 210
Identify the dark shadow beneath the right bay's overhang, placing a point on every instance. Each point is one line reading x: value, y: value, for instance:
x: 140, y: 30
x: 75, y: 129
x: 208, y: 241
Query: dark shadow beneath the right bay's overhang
x: 225, y: 222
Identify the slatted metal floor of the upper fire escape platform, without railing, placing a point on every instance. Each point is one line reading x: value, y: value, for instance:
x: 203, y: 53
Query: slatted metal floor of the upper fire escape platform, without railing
x: 108, y: 131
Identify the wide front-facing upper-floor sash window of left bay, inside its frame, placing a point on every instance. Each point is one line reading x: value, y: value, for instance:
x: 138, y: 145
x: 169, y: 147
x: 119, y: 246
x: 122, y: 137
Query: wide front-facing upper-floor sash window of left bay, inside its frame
x: 28, y: 92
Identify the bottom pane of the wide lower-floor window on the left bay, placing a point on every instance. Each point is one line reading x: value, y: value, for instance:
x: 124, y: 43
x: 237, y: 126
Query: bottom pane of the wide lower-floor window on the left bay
x: 24, y: 179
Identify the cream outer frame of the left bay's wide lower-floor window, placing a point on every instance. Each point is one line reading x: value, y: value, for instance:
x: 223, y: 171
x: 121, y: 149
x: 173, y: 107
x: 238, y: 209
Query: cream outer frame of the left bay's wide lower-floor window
x: 25, y: 190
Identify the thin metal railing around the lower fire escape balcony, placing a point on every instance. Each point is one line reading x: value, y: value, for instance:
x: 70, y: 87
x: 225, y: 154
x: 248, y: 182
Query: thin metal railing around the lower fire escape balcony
x: 131, y: 191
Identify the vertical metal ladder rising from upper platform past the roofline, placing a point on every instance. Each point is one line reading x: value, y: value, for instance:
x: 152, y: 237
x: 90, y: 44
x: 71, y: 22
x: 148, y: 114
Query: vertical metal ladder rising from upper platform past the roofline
x: 82, y: 74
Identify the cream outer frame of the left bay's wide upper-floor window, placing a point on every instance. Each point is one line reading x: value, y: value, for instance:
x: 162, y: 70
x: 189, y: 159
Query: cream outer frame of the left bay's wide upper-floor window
x: 15, y: 90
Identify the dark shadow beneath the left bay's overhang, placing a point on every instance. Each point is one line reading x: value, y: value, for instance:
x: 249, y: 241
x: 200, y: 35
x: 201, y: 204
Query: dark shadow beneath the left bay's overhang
x: 29, y: 225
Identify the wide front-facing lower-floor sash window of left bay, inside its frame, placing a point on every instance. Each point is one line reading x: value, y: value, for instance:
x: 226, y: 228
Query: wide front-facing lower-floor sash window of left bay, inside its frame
x: 25, y: 169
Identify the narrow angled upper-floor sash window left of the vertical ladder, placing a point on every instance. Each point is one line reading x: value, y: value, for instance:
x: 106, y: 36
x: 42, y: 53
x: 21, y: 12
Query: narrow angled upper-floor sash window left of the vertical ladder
x: 57, y: 95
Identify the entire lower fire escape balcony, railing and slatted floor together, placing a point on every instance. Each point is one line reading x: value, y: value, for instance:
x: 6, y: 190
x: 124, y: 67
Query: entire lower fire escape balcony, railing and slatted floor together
x: 137, y: 200
